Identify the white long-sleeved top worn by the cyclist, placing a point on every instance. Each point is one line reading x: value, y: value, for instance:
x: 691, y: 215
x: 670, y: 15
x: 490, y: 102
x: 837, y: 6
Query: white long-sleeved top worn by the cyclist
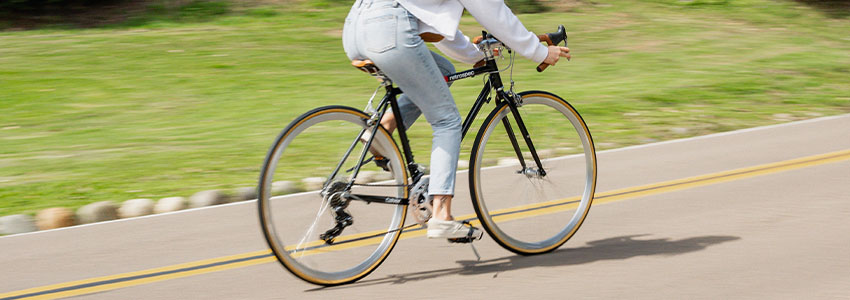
x: 443, y: 16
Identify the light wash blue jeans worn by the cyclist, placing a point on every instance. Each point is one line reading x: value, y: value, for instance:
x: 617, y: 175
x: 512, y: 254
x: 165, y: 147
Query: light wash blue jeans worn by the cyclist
x: 386, y: 33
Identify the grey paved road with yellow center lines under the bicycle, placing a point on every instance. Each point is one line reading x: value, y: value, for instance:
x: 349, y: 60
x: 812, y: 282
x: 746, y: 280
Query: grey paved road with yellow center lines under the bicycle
x: 776, y: 231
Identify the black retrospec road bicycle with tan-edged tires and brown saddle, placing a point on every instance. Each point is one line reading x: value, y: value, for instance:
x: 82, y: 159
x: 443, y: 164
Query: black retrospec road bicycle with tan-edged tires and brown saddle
x: 550, y: 177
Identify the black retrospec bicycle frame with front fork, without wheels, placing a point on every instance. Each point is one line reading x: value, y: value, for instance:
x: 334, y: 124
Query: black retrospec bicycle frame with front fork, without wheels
x: 494, y: 83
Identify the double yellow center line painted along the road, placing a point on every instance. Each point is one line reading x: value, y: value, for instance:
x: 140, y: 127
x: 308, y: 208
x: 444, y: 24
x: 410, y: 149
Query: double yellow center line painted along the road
x: 105, y: 283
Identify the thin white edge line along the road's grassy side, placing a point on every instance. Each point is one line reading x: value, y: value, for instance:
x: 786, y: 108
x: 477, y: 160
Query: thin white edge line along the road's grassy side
x: 713, y: 135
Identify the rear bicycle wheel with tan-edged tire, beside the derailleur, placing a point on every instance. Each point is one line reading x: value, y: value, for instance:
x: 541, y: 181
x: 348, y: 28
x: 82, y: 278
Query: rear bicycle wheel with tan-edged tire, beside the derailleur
x: 305, y: 148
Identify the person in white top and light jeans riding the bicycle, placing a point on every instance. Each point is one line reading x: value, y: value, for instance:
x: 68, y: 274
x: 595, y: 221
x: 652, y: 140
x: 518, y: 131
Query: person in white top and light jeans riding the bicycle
x: 392, y: 33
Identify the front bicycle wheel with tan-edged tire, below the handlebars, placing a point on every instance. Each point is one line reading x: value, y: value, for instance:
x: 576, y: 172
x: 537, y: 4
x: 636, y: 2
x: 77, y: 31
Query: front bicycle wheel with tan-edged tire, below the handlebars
x: 523, y: 209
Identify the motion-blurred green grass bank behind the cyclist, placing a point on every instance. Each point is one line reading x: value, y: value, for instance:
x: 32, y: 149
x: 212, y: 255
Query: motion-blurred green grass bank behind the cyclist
x: 159, y: 108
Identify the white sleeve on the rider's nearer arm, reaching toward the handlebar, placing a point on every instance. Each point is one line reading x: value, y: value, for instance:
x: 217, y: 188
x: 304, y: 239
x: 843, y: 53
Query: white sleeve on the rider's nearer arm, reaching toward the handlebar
x: 501, y: 22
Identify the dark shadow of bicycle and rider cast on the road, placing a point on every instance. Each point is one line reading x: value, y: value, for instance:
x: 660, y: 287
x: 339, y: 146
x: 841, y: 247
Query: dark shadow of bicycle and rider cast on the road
x: 622, y: 247
